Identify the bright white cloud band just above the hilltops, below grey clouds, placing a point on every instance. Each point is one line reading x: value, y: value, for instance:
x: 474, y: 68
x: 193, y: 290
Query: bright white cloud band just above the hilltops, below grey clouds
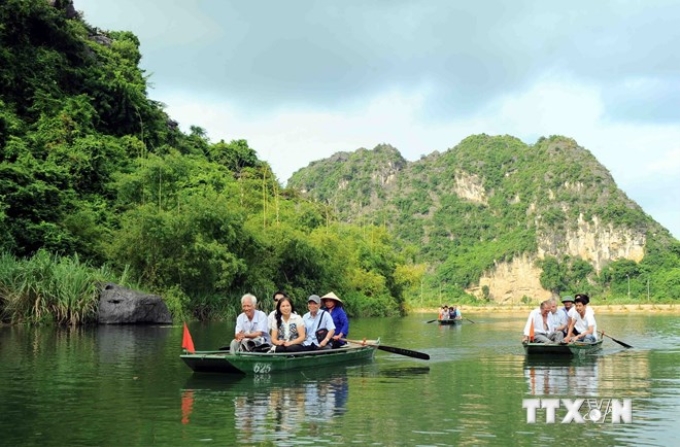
x: 291, y: 139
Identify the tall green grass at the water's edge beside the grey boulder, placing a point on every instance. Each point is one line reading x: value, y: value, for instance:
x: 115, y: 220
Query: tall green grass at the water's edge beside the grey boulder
x: 49, y: 288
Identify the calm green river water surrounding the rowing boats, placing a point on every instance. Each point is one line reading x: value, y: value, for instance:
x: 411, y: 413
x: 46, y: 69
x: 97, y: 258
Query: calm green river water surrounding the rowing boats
x: 120, y: 386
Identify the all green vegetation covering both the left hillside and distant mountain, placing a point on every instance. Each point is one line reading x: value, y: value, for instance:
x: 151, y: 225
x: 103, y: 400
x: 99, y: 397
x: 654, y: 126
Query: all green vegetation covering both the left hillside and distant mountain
x: 98, y: 183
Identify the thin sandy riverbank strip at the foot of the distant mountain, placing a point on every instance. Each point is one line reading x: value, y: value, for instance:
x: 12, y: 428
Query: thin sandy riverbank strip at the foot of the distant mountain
x: 602, y: 308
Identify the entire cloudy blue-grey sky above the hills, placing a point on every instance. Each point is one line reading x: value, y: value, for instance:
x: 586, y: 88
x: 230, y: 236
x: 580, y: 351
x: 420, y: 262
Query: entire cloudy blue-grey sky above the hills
x: 301, y: 80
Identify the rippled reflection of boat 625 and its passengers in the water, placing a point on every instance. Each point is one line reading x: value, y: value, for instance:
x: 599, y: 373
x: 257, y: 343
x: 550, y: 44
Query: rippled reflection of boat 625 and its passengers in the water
x: 284, y: 408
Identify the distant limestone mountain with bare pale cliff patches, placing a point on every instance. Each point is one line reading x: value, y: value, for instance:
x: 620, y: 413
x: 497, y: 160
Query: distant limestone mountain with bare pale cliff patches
x: 502, y: 219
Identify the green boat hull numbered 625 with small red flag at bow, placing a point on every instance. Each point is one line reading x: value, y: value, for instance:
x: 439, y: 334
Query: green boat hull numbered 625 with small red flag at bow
x: 253, y: 363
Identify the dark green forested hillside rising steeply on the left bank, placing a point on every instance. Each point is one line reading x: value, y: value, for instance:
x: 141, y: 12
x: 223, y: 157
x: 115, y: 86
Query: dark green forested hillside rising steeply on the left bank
x: 95, y: 177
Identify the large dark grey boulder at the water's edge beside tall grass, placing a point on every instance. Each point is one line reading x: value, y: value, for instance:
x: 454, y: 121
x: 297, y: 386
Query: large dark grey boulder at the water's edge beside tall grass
x: 118, y: 305
